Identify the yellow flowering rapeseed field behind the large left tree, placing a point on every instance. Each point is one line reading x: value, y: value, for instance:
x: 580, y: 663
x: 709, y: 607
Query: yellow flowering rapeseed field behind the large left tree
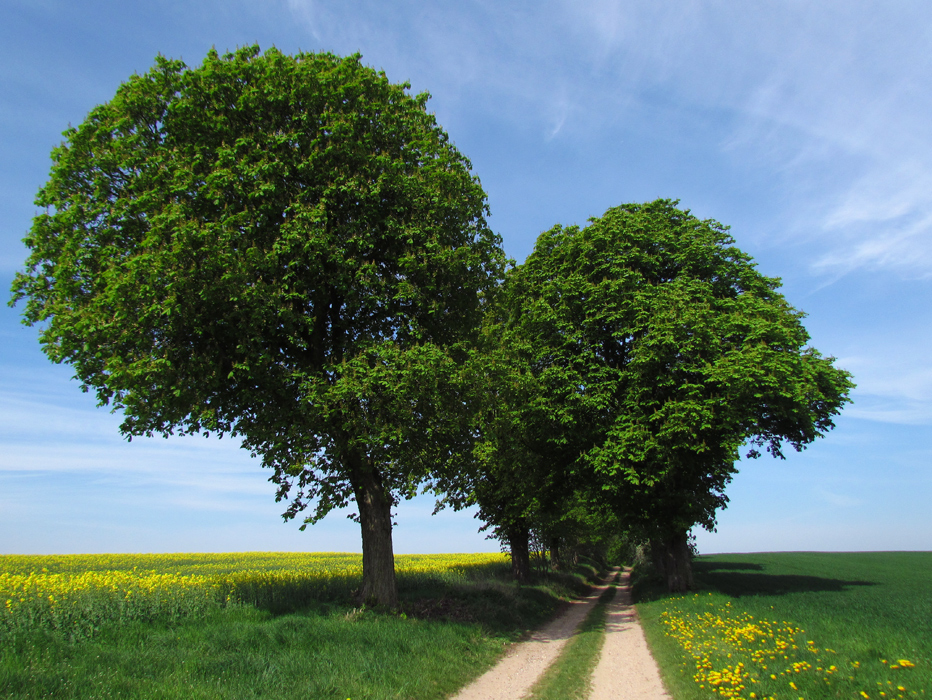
x: 76, y: 594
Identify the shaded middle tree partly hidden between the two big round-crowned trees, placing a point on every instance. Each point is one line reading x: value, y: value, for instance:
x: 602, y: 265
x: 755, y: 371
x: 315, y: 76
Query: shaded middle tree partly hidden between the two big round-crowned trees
x: 527, y: 438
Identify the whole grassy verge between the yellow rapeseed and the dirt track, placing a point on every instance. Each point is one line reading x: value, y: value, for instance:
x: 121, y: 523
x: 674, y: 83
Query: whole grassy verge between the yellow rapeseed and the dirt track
x: 447, y: 631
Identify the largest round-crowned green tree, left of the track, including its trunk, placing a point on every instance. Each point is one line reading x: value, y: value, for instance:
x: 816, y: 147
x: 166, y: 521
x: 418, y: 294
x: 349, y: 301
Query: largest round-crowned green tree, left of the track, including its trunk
x: 288, y: 249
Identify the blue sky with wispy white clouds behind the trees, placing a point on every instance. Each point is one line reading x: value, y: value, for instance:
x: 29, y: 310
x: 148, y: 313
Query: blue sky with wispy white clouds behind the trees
x: 803, y: 126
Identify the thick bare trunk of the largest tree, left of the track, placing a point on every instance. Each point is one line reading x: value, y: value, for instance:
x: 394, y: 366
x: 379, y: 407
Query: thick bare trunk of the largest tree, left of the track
x: 375, y: 518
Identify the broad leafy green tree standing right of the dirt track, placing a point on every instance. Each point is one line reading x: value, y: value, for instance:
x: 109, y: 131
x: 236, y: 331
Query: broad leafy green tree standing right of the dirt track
x: 671, y: 351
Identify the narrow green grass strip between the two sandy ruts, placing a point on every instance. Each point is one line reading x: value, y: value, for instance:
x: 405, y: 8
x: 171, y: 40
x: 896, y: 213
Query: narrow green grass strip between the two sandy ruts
x: 569, y: 677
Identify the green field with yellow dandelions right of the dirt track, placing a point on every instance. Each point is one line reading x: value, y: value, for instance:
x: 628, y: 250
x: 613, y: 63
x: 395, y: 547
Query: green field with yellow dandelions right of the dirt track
x: 857, y: 612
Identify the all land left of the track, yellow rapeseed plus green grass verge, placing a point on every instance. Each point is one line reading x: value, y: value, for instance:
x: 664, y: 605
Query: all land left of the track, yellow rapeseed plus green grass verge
x: 258, y: 625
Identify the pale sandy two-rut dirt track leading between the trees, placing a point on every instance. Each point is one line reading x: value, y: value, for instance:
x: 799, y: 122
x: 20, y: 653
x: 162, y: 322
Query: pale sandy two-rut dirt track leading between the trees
x: 625, y: 669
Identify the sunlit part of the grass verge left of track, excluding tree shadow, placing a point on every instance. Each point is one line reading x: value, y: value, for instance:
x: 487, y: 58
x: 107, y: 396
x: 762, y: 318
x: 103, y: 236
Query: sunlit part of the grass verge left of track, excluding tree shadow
x: 247, y: 653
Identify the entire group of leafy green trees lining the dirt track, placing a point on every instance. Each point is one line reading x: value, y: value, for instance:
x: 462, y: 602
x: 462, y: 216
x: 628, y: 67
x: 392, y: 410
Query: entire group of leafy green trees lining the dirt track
x: 289, y: 249
